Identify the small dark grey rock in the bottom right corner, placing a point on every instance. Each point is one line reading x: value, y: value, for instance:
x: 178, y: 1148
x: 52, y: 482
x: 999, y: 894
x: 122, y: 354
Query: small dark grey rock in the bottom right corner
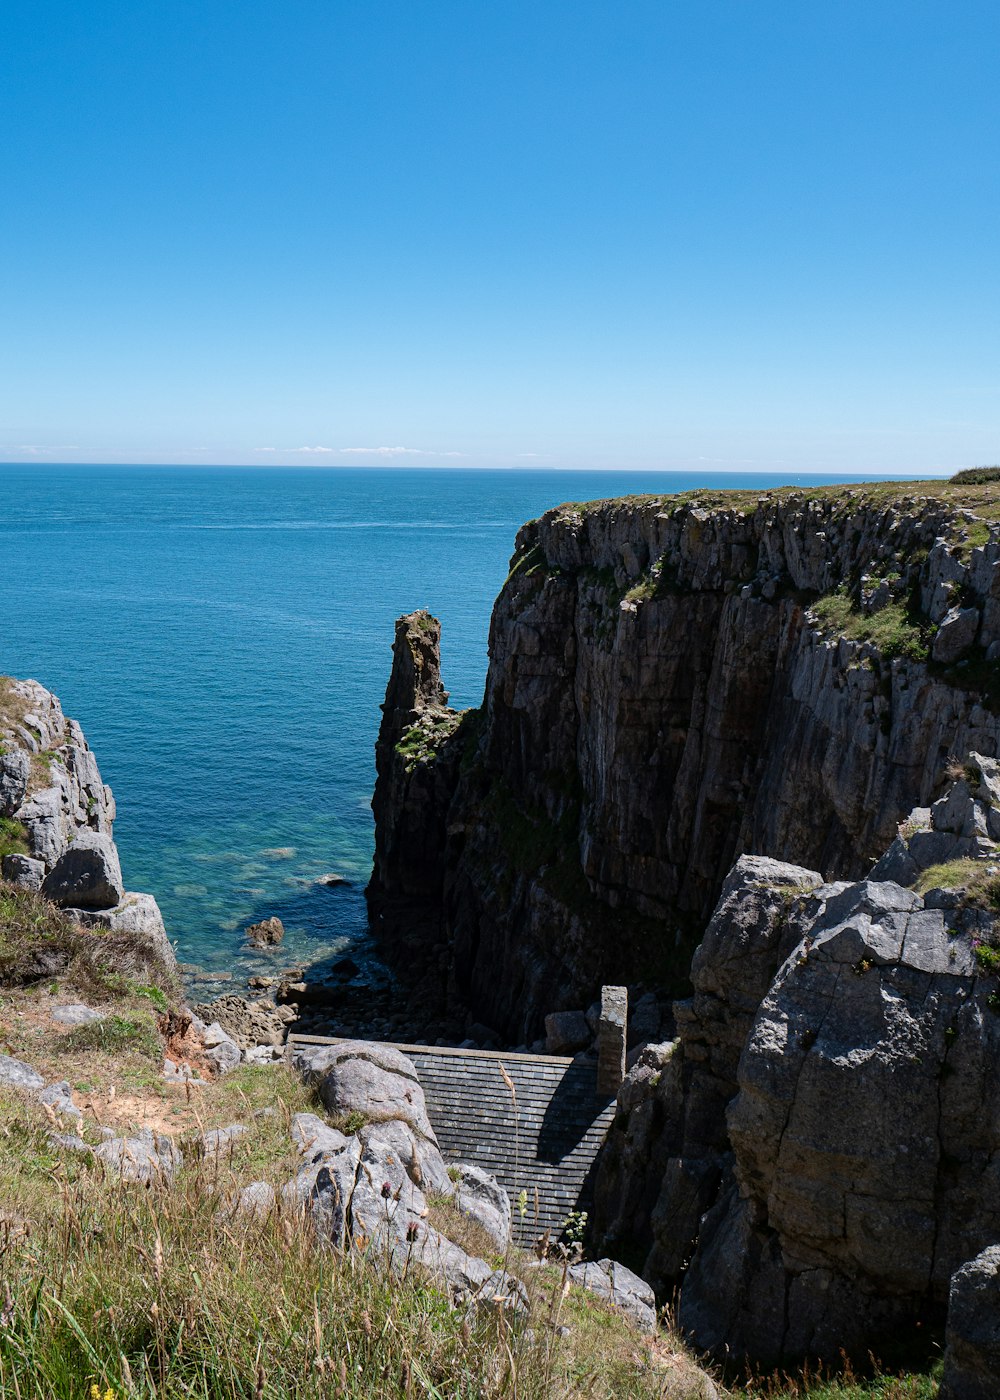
x: 973, y: 1339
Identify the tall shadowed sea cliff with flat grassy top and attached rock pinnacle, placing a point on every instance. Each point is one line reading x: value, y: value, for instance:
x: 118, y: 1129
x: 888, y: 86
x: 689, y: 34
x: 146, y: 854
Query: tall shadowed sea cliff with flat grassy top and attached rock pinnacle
x: 676, y: 682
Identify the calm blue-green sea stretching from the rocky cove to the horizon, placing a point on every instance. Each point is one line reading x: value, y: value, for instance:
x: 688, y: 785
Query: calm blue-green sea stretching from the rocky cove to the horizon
x: 223, y: 636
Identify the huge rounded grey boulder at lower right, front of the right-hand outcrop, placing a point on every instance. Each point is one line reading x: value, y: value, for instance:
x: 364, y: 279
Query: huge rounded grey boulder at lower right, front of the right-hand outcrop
x: 866, y: 1136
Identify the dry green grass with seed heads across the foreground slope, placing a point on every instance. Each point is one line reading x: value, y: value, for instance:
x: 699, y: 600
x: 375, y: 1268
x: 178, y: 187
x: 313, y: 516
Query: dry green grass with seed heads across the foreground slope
x: 155, y: 1294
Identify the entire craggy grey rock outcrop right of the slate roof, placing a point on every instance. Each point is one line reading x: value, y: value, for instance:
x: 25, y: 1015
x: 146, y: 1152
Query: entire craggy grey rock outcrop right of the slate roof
x: 816, y: 1156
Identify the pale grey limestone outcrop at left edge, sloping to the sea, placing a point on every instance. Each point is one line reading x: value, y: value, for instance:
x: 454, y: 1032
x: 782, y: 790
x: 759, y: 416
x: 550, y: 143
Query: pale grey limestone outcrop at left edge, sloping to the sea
x: 57, y: 820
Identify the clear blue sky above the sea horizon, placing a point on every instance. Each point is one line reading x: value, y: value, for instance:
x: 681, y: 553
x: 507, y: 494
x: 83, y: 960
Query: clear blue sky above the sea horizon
x: 651, y: 233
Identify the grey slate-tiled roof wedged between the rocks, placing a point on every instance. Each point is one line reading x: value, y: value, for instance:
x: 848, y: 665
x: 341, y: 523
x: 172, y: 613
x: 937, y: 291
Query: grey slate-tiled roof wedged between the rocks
x: 547, y: 1146
